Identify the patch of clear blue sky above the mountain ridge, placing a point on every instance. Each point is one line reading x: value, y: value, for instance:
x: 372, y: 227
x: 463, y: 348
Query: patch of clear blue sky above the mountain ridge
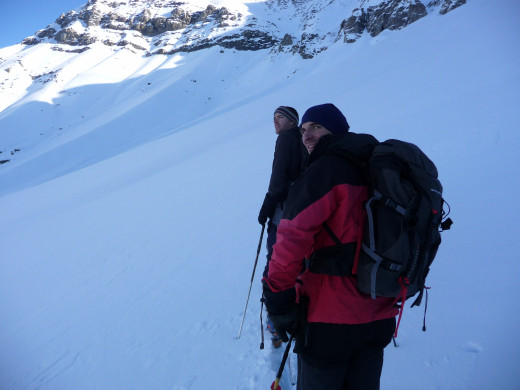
x: 22, y: 18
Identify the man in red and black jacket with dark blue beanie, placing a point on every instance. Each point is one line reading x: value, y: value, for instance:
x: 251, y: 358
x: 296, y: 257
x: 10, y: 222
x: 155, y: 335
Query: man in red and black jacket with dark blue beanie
x: 341, y: 339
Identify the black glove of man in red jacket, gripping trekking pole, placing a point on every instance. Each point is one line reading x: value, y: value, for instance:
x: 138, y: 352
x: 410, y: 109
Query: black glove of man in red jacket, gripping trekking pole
x: 283, y: 311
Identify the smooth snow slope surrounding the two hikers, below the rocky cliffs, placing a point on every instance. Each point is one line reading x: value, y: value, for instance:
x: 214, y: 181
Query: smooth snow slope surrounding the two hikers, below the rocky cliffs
x: 128, y: 237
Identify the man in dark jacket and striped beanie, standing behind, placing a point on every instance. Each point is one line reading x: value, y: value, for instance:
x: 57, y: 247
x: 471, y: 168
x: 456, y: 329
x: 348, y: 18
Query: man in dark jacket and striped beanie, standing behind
x: 289, y: 157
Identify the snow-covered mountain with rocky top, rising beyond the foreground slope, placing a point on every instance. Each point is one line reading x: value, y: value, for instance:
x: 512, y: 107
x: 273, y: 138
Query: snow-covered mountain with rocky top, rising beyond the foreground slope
x: 127, y: 42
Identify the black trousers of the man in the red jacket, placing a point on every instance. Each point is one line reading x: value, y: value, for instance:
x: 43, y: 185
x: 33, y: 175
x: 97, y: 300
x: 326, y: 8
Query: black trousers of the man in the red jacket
x: 342, y: 357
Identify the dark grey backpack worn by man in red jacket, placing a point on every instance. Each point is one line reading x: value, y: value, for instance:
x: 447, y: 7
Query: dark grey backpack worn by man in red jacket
x: 404, y: 220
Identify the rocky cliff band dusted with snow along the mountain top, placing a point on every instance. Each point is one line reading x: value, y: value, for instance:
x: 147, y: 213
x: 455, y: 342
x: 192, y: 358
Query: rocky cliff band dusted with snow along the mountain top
x: 291, y: 26
